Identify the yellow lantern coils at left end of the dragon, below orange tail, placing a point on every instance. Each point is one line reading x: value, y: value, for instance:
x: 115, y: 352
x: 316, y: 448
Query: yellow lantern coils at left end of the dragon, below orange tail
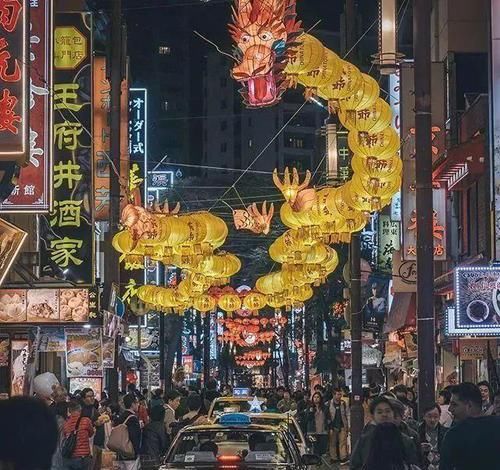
x: 185, y: 241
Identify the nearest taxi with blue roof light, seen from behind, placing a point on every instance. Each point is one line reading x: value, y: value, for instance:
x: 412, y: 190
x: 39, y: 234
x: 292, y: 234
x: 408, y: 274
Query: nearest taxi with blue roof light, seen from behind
x: 236, y: 443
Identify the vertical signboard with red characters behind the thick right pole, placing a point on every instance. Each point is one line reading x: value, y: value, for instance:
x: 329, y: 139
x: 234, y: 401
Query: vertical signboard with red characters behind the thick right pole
x: 409, y: 214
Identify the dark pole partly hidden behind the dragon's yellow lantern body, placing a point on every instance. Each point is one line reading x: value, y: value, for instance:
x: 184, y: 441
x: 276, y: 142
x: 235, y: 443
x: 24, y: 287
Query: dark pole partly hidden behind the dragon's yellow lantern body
x: 357, y: 412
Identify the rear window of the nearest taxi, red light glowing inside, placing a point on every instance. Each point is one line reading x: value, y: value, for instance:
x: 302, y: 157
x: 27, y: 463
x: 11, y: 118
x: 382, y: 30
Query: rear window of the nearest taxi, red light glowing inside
x: 231, y: 446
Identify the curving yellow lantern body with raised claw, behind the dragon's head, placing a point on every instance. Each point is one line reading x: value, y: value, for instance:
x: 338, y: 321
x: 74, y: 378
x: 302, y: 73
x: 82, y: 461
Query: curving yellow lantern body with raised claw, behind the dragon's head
x: 318, y: 218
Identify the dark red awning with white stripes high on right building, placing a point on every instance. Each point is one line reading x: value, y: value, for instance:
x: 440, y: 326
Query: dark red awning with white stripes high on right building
x: 462, y: 165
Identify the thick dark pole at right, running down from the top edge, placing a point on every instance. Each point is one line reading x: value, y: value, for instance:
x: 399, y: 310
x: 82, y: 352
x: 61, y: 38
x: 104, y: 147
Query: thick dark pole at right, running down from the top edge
x: 425, y: 242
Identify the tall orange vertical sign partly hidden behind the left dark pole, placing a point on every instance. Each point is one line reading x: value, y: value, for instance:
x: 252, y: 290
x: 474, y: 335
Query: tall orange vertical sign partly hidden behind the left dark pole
x: 101, y: 105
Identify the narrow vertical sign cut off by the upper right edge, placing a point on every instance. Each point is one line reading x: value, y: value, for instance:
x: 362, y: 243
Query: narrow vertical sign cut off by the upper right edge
x: 495, y: 119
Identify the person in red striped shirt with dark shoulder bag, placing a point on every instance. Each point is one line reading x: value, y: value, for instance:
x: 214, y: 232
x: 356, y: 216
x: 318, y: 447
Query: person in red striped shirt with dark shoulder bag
x: 81, y: 457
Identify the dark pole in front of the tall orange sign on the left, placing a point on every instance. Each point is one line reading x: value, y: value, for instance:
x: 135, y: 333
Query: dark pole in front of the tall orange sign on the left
x: 112, y: 262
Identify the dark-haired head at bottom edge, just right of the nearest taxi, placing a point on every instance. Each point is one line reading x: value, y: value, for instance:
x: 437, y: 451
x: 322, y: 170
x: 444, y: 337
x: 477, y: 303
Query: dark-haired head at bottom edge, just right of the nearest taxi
x: 388, y: 451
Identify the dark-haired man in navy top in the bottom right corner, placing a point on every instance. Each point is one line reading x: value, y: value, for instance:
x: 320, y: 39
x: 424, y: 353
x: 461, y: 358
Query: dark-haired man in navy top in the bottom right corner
x: 474, y: 442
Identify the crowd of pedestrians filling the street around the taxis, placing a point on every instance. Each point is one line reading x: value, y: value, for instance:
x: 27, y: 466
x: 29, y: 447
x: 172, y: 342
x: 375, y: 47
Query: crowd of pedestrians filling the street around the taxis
x: 461, y: 431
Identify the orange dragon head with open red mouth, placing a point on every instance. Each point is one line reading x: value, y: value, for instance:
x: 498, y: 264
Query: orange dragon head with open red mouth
x: 264, y: 32
